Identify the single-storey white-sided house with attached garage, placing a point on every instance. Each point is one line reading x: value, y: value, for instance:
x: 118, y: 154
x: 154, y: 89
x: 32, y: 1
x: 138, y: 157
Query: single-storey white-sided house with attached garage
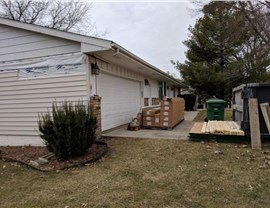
x: 39, y: 65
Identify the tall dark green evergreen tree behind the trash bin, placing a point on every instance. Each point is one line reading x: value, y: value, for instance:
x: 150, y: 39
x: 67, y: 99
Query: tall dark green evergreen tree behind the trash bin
x: 220, y: 51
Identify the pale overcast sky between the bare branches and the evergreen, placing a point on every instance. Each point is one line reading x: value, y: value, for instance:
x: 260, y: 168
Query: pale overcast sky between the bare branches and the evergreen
x: 153, y: 30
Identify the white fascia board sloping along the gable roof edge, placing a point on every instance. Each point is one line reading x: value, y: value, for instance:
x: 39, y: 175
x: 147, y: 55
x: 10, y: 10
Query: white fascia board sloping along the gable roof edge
x: 57, y: 33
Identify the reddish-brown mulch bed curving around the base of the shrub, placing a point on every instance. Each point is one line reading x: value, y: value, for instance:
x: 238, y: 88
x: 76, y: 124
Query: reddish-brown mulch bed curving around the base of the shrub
x: 25, y: 154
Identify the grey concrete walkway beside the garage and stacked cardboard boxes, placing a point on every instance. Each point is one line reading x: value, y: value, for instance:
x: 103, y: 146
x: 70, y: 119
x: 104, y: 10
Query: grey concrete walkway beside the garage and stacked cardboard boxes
x: 180, y: 132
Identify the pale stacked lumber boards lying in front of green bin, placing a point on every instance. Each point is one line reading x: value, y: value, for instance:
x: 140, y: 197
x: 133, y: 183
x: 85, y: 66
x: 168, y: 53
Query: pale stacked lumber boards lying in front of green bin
x: 222, y: 127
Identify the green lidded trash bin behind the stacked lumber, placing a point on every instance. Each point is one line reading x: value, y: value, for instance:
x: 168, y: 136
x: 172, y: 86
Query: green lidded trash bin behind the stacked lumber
x: 215, y: 109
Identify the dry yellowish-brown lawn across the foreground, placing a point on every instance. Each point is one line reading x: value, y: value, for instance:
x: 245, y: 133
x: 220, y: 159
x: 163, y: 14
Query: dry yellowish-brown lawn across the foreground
x: 148, y: 173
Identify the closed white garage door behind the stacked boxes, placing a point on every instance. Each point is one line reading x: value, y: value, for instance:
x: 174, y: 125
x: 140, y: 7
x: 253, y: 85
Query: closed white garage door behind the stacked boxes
x: 120, y: 100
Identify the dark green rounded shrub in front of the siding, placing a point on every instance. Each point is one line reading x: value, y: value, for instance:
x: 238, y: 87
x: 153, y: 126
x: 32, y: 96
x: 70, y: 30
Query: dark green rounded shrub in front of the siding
x: 70, y: 130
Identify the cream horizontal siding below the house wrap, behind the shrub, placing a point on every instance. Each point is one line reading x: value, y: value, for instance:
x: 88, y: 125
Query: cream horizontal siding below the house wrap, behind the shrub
x: 22, y: 100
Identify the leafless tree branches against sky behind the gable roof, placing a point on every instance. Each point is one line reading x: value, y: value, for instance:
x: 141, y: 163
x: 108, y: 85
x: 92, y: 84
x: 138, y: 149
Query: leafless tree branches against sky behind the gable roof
x: 66, y: 15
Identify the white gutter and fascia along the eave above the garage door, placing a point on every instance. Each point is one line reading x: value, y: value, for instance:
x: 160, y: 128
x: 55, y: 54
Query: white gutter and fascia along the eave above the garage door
x: 127, y: 53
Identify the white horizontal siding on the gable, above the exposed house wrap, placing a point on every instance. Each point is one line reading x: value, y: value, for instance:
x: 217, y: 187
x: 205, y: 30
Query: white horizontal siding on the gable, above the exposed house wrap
x: 21, y: 44
